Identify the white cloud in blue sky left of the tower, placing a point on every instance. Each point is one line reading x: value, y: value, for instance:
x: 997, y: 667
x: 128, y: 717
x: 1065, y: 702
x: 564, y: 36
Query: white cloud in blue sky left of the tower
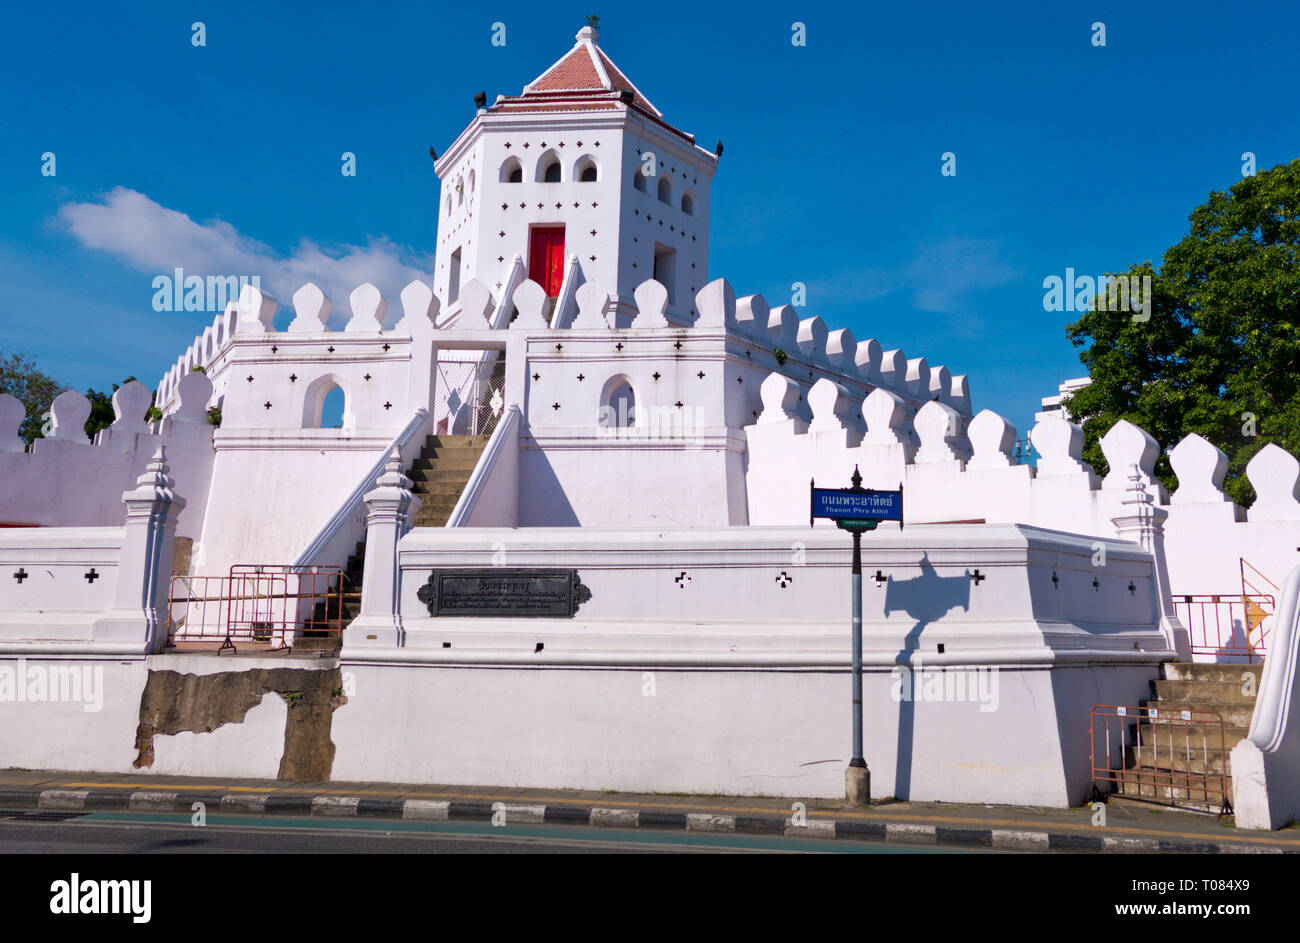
x: 155, y: 240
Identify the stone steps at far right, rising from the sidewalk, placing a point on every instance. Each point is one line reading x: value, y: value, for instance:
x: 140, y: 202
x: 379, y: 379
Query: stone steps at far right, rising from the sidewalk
x: 1168, y: 758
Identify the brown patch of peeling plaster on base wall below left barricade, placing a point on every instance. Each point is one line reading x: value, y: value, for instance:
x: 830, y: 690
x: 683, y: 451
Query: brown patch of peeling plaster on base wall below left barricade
x: 224, y: 716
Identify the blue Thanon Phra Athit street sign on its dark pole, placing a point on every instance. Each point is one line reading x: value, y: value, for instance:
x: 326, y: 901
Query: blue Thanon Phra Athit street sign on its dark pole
x: 856, y: 509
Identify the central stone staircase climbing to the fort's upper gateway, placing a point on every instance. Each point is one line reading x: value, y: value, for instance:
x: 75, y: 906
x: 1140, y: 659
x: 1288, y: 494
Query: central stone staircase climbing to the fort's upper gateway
x: 437, y: 477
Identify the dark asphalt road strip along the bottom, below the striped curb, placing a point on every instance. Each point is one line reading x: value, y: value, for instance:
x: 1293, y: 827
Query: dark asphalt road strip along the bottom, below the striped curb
x: 161, y: 834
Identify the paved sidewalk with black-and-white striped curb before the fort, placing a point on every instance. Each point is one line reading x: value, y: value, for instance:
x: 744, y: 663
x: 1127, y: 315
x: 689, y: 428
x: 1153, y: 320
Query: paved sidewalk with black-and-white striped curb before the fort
x: 1130, y: 827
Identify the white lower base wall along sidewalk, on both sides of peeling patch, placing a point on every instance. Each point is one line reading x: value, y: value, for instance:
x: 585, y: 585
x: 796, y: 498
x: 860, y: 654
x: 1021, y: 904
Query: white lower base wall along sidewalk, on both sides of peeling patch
x: 774, y: 733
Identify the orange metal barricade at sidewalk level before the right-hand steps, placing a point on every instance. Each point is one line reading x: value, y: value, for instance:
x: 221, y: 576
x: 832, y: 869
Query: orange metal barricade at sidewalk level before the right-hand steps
x: 1171, y: 755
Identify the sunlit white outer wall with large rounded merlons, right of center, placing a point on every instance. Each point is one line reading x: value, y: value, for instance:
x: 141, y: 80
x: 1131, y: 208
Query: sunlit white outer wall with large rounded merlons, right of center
x: 955, y: 473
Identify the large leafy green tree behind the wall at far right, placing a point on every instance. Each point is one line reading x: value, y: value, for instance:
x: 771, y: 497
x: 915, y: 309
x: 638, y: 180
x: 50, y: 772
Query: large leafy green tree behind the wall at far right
x: 1220, y: 353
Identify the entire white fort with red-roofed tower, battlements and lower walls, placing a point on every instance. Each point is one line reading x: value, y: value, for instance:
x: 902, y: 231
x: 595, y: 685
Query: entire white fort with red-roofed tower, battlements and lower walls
x: 562, y: 535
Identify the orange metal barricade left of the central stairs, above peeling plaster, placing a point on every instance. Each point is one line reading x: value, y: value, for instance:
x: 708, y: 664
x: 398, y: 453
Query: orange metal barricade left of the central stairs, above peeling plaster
x: 255, y: 608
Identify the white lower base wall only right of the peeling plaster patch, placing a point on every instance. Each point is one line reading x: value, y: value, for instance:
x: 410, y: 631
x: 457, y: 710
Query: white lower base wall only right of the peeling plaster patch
x: 743, y: 733
